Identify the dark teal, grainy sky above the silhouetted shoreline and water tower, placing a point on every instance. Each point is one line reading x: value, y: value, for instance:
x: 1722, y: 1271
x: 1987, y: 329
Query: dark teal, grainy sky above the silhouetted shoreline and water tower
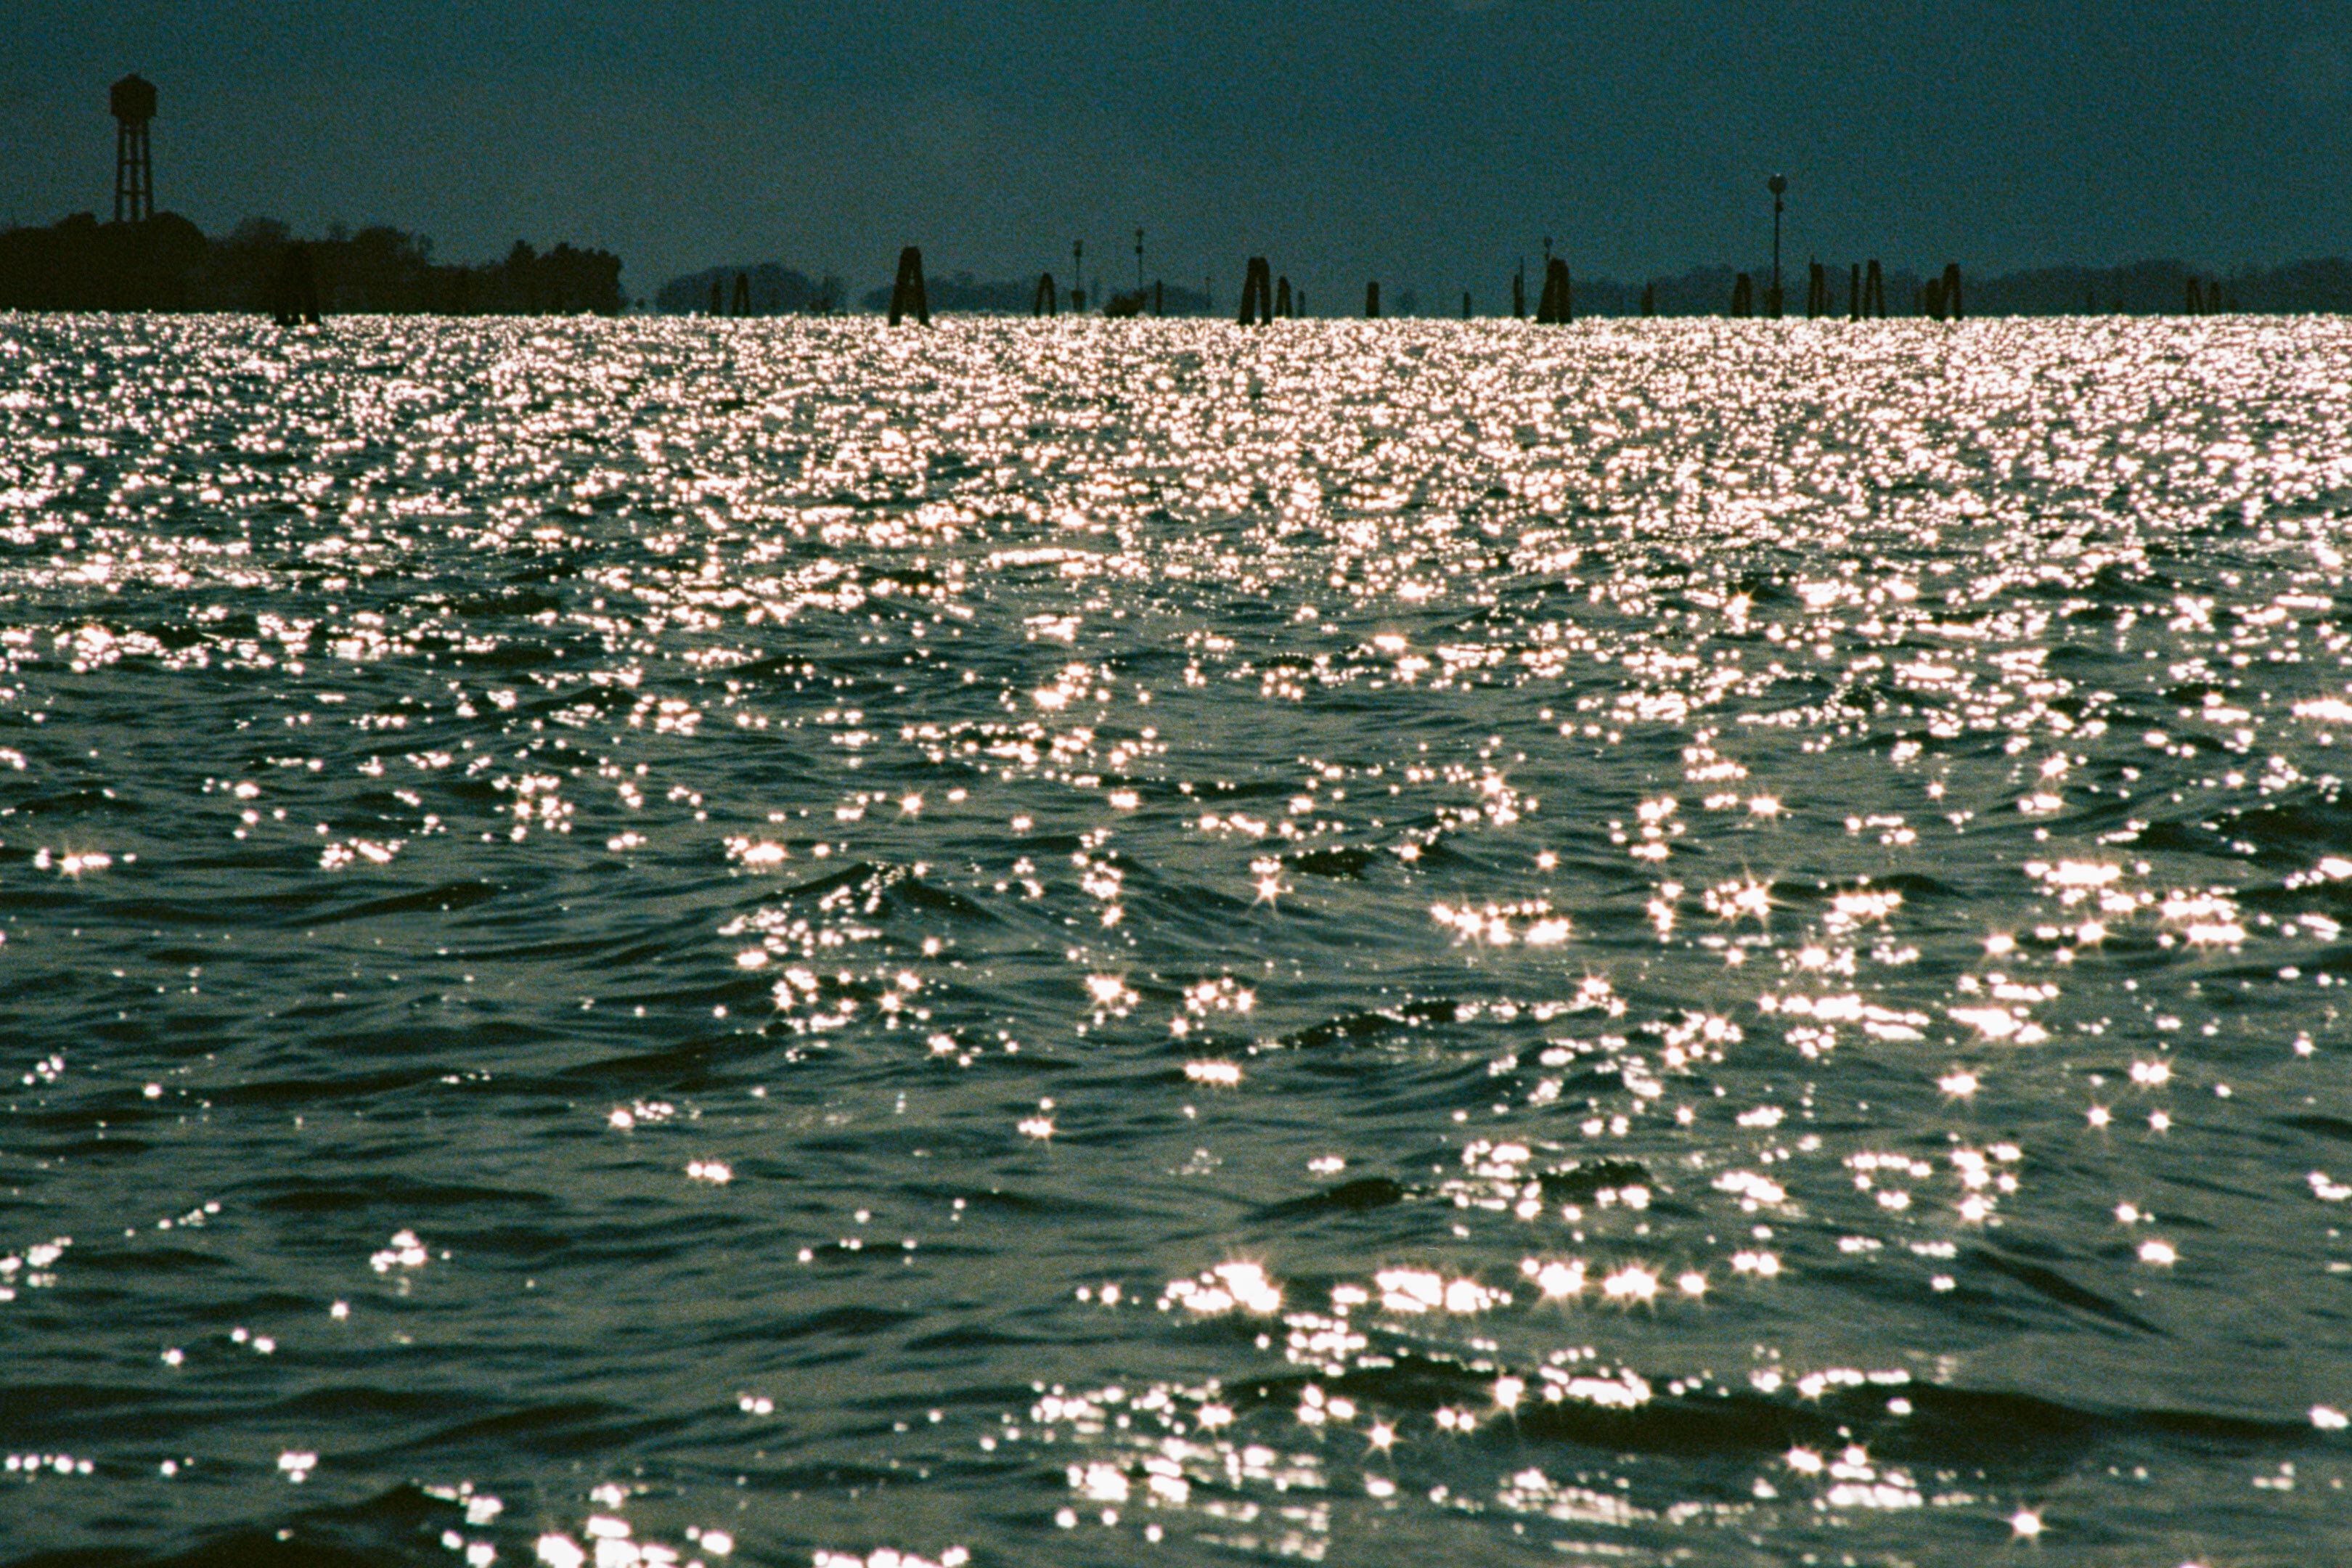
x: 1424, y: 142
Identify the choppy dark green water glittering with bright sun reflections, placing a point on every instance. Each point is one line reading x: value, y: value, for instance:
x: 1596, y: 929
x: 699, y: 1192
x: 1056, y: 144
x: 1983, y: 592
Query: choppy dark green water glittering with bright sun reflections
x: 1372, y: 944
